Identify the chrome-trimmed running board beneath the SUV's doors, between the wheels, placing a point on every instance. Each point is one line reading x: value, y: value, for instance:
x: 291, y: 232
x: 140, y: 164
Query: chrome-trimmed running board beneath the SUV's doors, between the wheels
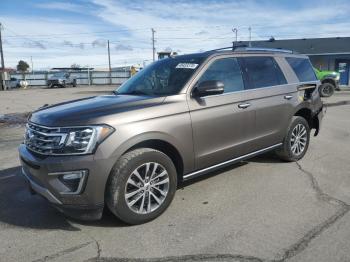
x: 228, y: 162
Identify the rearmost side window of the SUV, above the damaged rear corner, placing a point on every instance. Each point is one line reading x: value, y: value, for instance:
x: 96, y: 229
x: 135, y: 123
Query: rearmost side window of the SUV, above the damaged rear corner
x: 302, y: 68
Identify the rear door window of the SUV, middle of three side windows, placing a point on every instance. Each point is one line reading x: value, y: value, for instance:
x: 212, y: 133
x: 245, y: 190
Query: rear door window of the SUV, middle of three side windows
x: 262, y: 72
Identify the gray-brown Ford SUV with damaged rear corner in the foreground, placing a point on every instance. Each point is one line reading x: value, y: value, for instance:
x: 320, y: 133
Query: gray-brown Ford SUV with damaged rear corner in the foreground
x: 177, y: 119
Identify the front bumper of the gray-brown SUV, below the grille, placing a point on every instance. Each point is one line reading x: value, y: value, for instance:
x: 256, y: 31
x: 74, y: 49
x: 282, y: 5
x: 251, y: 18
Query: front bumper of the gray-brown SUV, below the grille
x: 88, y: 204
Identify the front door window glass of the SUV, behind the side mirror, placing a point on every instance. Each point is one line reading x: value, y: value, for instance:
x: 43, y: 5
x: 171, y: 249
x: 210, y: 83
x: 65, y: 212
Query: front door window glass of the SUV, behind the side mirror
x: 226, y: 70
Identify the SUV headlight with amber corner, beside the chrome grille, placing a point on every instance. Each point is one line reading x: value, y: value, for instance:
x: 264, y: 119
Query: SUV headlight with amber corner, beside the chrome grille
x: 84, y: 140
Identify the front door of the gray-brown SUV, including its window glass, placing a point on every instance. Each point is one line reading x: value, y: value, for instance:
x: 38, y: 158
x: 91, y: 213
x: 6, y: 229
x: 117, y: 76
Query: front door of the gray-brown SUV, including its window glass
x: 221, y: 127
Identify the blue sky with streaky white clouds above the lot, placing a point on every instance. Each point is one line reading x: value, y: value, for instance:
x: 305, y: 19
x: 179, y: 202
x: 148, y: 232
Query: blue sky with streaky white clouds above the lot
x: 60, y: 33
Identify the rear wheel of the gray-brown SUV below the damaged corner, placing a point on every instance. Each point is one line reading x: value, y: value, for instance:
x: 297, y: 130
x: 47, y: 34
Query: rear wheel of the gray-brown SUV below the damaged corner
x: 297, y: 127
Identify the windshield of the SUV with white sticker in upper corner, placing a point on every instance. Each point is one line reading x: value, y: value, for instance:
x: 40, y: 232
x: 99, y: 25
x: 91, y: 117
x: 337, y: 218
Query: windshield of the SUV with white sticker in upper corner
x: 162, y: 78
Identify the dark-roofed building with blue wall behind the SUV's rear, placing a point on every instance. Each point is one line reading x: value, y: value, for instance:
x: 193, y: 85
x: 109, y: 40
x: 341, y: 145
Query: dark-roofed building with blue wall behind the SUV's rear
x: 325, y: 53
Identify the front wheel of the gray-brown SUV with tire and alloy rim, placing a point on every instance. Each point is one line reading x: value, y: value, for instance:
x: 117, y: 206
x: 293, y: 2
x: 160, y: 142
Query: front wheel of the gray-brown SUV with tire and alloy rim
x: 123, y: 182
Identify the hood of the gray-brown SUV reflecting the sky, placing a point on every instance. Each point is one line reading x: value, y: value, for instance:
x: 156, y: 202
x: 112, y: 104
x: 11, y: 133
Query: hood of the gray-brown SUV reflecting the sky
x: 90, y: 110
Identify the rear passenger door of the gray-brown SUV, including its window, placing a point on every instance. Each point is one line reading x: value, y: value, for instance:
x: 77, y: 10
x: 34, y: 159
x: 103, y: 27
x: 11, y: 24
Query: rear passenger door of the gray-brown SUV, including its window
x: 270, y: 96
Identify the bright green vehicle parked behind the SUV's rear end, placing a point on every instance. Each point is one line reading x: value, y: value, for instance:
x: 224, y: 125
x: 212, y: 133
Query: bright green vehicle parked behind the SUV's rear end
x: 329, y: 80
